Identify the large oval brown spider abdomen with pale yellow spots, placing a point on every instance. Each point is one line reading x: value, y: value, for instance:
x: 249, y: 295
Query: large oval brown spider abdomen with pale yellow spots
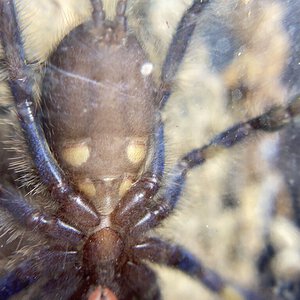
x: 99, y: 98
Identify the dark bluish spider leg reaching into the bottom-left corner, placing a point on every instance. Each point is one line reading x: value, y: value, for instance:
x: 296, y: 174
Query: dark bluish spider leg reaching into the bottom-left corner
x: 43, y: 263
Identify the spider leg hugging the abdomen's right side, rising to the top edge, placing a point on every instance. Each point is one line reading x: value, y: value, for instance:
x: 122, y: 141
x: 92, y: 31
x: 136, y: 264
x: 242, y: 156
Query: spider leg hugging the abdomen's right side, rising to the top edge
x: 132, y: 206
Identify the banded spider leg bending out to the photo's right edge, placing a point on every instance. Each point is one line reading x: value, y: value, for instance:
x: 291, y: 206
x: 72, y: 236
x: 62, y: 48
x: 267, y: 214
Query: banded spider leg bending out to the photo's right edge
x: 273, y: 120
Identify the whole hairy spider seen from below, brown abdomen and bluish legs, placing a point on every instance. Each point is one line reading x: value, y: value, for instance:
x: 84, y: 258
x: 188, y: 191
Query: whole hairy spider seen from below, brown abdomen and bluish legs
x: 106, y: 178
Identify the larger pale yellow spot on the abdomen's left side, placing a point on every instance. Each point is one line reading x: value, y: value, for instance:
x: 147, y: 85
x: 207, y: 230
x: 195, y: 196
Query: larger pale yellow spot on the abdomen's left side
x: 76, y: 155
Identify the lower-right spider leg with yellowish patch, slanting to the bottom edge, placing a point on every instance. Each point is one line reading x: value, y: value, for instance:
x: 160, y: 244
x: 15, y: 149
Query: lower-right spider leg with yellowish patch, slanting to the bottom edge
x: 161, y: 252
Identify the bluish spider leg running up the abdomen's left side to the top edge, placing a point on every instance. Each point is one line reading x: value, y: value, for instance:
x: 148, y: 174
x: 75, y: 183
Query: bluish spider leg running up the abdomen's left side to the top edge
x: 21, y: 82
